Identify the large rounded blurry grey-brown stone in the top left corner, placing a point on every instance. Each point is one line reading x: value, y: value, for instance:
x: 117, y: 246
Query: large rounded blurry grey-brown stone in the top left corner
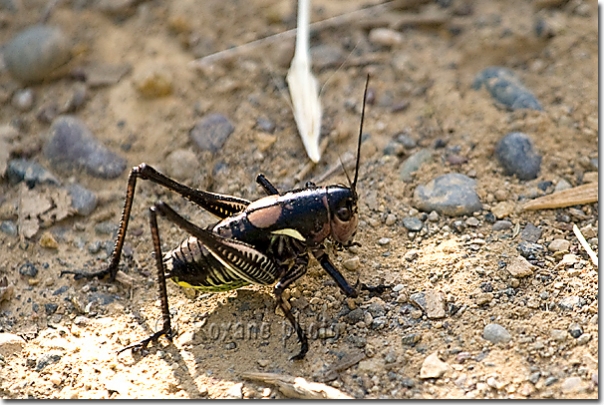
x: 34, y: 53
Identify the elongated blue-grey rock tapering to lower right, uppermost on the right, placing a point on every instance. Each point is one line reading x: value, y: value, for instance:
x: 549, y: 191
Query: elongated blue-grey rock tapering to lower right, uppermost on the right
x: 506, y: 88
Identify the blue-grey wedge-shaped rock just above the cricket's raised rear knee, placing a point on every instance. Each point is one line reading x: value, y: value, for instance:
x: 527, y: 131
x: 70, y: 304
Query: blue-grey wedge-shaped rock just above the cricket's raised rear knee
x: 72, y: 146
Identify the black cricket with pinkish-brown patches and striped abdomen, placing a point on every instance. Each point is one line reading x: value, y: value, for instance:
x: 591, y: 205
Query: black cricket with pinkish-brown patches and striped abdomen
x: 260, y: 242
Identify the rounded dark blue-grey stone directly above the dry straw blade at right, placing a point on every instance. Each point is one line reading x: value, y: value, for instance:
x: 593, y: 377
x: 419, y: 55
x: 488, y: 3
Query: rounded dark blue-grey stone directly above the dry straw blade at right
x: 516, y: 154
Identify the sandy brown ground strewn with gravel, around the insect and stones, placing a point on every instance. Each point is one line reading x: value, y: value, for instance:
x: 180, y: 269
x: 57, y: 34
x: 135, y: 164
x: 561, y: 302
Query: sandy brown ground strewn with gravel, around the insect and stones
x: 420, y: 86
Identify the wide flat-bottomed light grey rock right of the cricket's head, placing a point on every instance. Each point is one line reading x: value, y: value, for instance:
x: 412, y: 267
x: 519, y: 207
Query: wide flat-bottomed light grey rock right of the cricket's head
x: 451, y: 194
